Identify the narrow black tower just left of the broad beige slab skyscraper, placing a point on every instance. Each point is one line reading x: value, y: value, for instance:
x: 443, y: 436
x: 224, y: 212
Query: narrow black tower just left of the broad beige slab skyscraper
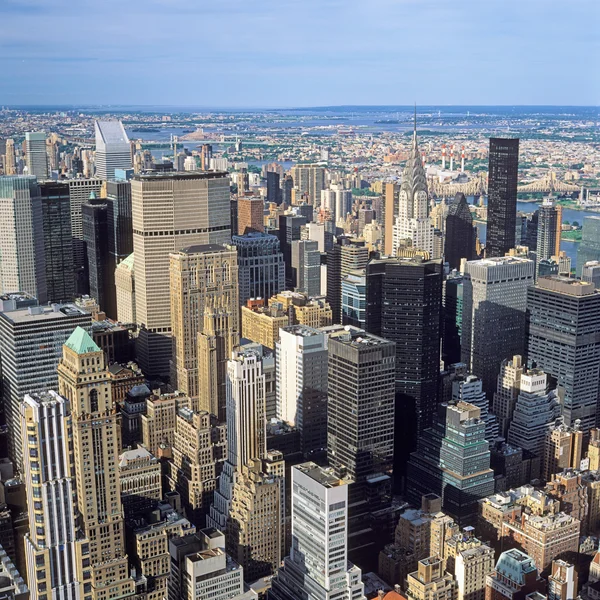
x: 94, y: 217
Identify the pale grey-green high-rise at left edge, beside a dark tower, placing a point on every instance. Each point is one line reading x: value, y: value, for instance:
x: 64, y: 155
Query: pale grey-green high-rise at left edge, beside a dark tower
x: 22, y: 256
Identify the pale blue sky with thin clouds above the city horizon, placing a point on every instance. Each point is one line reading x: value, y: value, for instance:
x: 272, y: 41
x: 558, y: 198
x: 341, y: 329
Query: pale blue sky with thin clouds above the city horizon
x: 283, y: 53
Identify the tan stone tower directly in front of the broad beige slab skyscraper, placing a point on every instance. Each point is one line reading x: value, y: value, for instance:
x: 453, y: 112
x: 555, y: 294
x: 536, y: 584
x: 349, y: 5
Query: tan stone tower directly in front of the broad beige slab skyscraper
x: 203, y: 277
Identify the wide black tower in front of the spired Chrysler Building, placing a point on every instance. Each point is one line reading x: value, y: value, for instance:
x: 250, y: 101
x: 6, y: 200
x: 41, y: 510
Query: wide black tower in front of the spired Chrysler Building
x: 404, y: 304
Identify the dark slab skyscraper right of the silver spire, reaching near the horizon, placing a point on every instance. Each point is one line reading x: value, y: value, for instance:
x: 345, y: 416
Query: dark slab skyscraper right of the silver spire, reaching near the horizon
x: 502, y: 196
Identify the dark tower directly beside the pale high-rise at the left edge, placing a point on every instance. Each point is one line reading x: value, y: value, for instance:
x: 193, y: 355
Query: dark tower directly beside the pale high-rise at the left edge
x: 58, y: 242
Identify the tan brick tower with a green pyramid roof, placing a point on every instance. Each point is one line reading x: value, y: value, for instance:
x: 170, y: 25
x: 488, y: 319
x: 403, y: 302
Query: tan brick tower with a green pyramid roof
x: 84, y: 382
